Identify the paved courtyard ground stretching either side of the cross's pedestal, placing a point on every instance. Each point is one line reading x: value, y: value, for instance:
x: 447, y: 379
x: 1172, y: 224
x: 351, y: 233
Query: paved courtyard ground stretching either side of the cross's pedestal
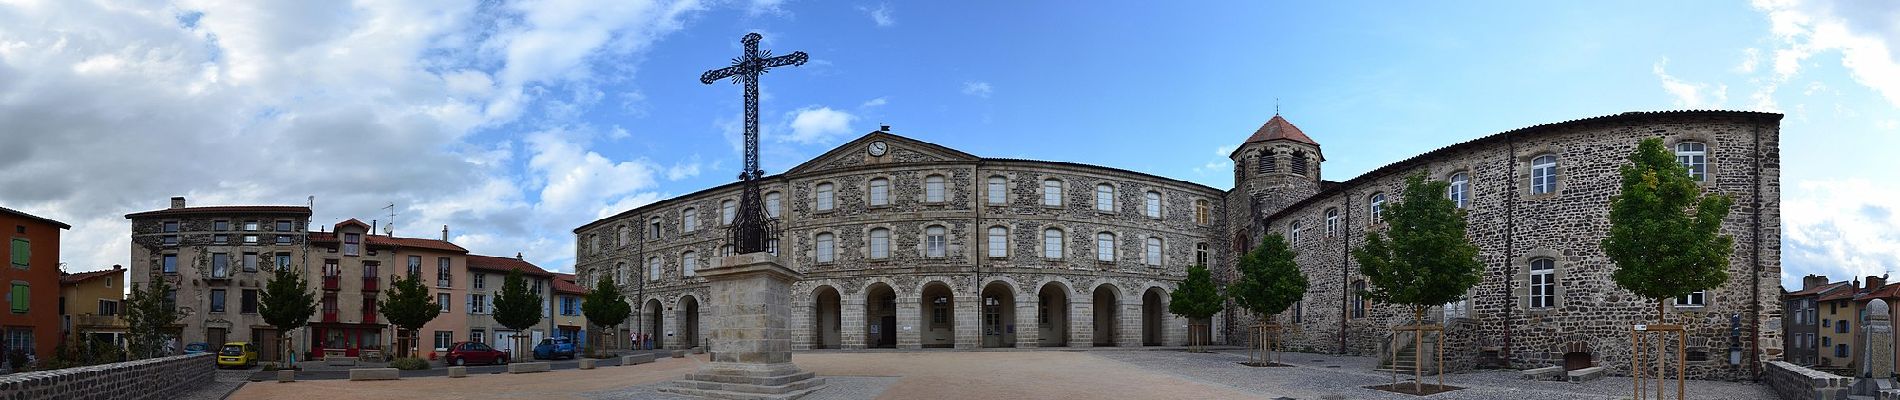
x: 1004, y: 374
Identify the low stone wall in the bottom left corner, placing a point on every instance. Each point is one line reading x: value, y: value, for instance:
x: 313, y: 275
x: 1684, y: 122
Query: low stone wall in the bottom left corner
x: 153, y: 378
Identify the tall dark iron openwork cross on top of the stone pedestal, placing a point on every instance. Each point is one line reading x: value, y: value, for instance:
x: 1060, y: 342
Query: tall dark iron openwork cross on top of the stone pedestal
x: 751, y: 230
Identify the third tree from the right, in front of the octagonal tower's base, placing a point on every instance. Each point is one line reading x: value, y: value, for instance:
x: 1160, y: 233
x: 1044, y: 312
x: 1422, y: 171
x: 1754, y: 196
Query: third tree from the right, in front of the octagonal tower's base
x: 1270, y: 282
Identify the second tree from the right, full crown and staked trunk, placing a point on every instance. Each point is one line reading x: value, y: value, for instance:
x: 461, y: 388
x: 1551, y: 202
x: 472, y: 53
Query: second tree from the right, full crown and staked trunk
x: 1422, y: 259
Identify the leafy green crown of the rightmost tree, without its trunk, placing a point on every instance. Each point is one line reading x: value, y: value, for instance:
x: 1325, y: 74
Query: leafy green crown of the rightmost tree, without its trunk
x: 1665, y: 234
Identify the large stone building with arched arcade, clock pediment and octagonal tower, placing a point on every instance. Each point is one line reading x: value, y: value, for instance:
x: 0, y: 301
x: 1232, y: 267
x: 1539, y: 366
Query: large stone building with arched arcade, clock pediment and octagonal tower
x: 911, y: 245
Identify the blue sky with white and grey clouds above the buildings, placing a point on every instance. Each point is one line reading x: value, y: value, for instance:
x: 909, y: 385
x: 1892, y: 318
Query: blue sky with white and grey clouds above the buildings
x: 514, y: 122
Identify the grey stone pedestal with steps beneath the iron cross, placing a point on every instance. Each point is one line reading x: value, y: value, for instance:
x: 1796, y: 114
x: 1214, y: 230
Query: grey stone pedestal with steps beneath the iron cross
x: 751, y: 299
